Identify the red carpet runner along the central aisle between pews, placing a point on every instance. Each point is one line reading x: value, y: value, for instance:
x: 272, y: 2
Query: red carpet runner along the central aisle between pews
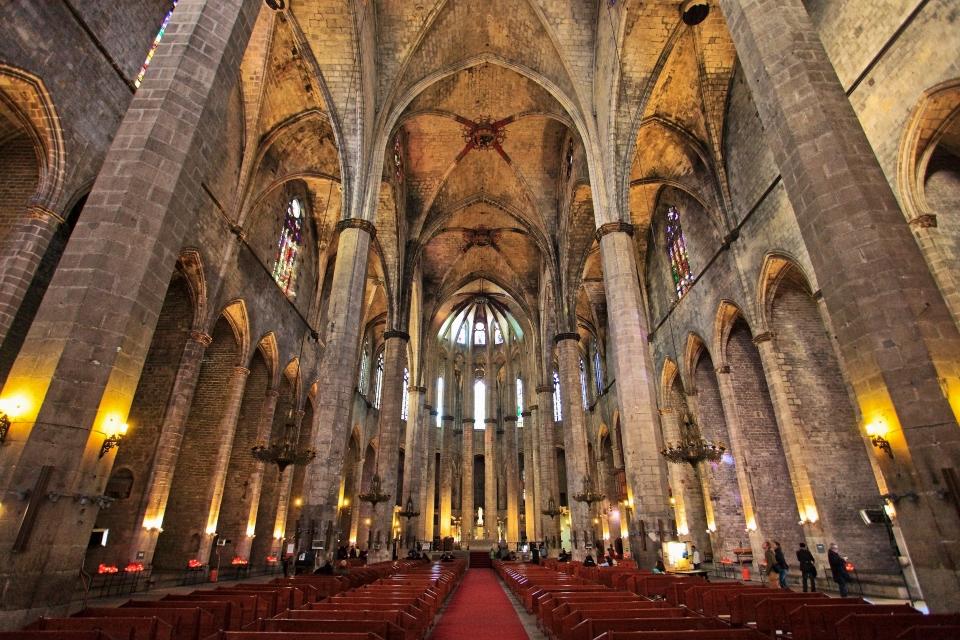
x: 479, y: 610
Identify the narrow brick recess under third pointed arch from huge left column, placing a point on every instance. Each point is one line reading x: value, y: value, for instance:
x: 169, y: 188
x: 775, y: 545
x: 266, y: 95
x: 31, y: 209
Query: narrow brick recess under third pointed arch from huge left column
x: 235, y: 506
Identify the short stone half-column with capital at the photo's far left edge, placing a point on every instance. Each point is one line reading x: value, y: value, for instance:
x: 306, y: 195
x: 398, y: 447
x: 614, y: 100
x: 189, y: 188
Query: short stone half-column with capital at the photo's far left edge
x: 21, y: 253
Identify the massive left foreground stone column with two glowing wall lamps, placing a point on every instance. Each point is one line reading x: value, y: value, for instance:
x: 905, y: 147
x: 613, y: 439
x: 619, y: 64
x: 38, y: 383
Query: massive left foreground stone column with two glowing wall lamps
x: 82, y: 359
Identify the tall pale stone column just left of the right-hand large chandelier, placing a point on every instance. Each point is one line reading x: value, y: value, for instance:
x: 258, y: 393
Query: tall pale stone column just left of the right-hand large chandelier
x: 646, y: 475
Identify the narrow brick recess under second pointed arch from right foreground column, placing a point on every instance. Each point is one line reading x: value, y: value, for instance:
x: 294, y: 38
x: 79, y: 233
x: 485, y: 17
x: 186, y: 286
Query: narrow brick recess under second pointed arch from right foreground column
x: 767, y: 468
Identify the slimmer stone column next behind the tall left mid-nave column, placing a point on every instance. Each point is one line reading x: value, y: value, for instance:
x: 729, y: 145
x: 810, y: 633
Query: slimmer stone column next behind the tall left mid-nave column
x: 388, y: 452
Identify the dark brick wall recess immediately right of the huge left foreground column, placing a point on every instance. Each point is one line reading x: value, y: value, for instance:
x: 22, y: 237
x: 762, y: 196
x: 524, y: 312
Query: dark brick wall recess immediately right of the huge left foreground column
x: 146, y: 419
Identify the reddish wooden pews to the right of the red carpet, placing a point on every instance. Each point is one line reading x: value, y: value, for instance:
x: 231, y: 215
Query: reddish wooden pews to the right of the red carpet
x: 572, y: 602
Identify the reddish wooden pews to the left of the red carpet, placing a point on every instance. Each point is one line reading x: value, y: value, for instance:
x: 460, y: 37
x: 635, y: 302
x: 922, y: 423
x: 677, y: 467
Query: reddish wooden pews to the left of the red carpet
x: 386, y: 601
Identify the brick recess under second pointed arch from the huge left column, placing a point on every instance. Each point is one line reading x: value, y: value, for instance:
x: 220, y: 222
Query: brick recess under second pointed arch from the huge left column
x: 185, y: 519
